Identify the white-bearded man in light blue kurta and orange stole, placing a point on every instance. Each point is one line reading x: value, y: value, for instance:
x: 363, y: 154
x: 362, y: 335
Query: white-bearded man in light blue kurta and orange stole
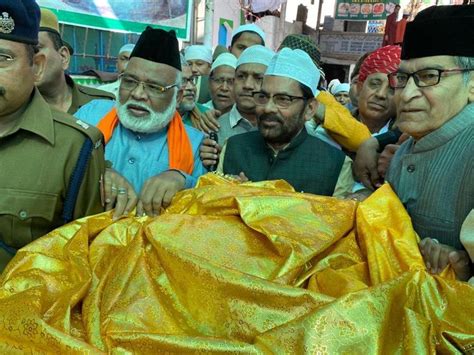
x: 153, y: 154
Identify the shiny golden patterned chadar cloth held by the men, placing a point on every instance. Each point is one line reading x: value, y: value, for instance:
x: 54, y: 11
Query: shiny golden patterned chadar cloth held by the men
x: 251, y: 268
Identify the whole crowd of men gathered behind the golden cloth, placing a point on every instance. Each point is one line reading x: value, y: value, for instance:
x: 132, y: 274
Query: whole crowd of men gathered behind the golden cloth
x: 134, y: 147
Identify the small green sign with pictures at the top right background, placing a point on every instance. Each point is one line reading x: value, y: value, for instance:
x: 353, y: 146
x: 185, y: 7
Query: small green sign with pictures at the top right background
x: 364, y: 10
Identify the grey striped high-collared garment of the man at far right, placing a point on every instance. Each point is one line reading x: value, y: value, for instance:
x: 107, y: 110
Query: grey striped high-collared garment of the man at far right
x: 434, y: 178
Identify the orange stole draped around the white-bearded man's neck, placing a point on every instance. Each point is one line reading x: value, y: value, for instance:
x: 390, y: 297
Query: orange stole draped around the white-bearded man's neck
x: 179, y: 145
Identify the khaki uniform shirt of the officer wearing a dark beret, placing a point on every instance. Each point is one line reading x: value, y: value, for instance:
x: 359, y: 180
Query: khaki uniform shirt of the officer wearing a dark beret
x: 36, y: 163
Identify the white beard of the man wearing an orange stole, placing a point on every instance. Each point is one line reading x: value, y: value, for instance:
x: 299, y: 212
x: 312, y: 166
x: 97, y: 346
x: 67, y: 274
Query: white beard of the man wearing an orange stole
x: 153, y: 122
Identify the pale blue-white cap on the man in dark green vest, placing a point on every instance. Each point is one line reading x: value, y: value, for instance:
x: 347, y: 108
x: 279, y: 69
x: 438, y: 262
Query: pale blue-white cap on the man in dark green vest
x: 297, y: 65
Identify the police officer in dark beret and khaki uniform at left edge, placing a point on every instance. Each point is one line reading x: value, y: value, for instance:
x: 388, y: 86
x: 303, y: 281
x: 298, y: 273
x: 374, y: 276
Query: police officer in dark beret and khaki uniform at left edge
x: 50, y: 163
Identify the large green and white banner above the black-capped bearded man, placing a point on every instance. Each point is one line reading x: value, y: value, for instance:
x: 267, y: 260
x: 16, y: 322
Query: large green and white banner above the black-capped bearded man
x: 125, y: 15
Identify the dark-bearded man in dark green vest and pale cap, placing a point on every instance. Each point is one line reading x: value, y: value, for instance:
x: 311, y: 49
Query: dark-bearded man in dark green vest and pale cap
x: 282, y: 148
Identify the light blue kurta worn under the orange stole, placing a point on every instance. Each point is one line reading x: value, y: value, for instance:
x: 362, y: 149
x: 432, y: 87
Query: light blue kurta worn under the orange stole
x: 138, y: 156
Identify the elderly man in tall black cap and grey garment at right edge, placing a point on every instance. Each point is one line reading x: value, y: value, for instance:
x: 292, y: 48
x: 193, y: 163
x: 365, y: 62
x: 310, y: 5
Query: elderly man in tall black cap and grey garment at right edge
x: 433, y: 171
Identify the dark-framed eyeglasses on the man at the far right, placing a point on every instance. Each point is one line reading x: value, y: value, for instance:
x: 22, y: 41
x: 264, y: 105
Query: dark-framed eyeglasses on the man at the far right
x: 423, y: 78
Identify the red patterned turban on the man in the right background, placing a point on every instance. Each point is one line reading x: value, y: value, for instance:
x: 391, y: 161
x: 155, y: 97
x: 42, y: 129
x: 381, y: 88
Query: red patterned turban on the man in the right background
x: 383, y: 60
